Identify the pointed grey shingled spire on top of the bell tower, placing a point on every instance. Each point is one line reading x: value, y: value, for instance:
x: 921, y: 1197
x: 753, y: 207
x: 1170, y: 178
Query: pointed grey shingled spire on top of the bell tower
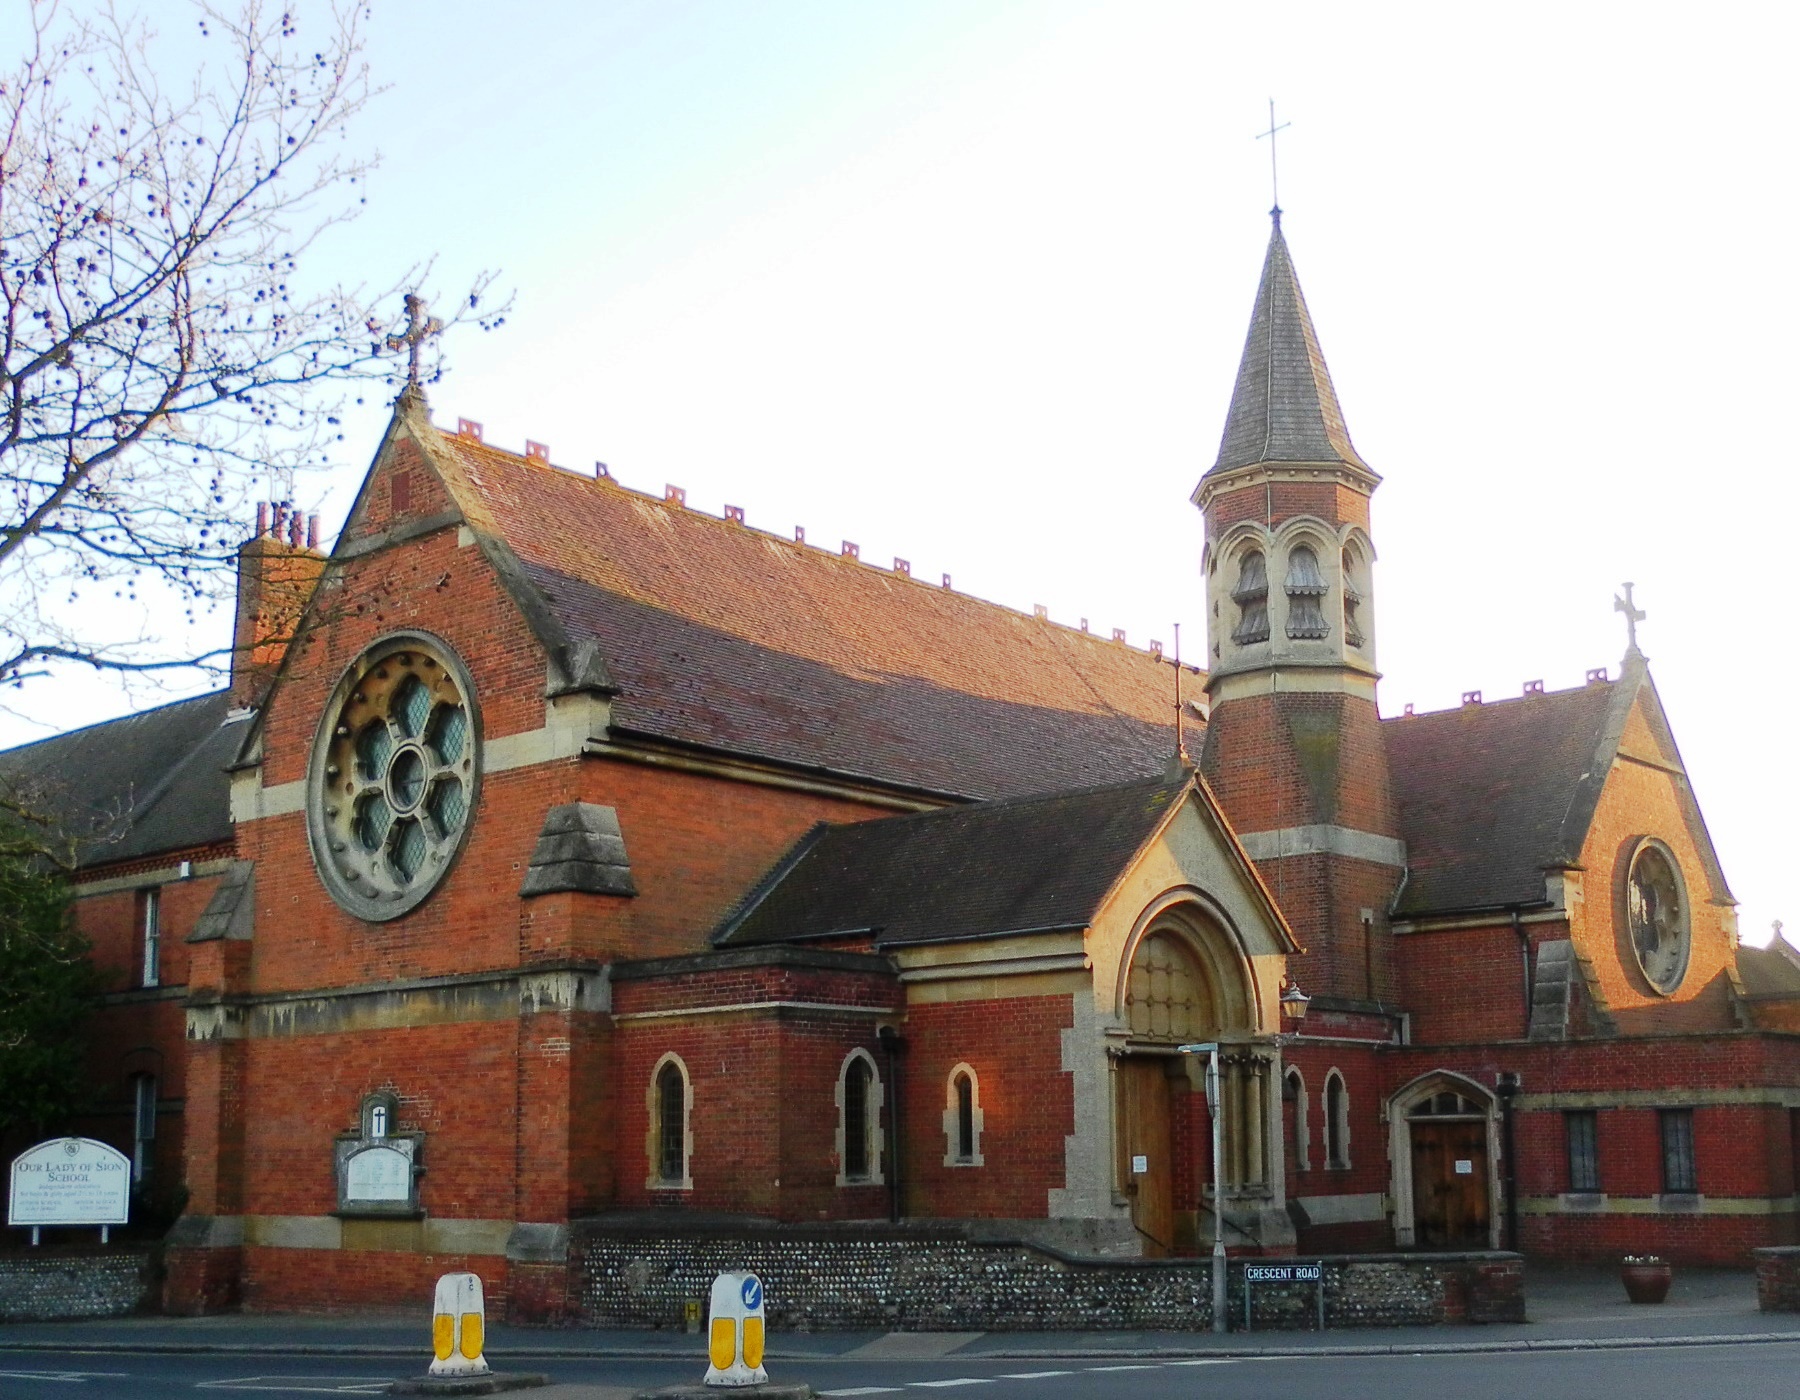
x: 1284, y: 408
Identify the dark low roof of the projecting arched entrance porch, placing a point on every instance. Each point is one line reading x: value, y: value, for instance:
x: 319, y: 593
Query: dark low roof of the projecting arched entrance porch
x: 1029, y: 865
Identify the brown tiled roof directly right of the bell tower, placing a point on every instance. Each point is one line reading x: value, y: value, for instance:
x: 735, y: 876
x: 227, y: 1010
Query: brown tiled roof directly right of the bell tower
x: 1495, y: 794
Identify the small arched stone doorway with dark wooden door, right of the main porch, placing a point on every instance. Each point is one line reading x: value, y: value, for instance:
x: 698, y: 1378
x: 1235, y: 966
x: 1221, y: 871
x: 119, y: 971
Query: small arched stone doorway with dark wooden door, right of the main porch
x: 1444, y: 1154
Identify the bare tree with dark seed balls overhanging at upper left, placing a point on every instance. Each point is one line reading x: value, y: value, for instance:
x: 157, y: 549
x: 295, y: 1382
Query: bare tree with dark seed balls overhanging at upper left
x: 159, y: 363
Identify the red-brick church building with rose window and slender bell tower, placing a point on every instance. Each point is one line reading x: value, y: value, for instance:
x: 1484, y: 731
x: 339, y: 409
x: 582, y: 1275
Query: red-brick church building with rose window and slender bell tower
x: 586, y: 857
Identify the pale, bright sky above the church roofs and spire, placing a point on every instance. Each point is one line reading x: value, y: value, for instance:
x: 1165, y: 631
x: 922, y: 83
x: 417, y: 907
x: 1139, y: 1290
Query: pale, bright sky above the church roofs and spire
x: 966, y: 282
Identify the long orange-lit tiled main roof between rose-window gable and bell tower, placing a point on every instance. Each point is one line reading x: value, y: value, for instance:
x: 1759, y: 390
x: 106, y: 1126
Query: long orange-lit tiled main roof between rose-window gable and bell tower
x: 735, y: 640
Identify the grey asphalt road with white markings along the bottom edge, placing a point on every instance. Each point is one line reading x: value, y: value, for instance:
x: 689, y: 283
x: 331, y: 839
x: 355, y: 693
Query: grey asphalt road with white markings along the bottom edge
x: 1632, y: 1374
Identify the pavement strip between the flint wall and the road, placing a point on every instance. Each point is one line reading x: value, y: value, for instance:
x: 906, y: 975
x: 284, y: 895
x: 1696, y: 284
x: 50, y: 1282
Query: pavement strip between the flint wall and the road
x: 1569, y: 1309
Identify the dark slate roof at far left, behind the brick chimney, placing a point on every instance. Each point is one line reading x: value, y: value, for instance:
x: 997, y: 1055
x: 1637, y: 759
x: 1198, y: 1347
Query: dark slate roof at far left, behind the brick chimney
x: 134, y: 787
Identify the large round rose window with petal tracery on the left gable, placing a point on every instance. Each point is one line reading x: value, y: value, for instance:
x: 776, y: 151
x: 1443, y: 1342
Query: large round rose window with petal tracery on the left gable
x: 393, y: 778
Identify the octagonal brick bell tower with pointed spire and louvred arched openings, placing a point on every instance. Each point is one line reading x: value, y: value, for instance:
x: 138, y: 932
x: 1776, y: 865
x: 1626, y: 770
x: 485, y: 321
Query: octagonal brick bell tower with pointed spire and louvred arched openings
x: 1293, y: 746
